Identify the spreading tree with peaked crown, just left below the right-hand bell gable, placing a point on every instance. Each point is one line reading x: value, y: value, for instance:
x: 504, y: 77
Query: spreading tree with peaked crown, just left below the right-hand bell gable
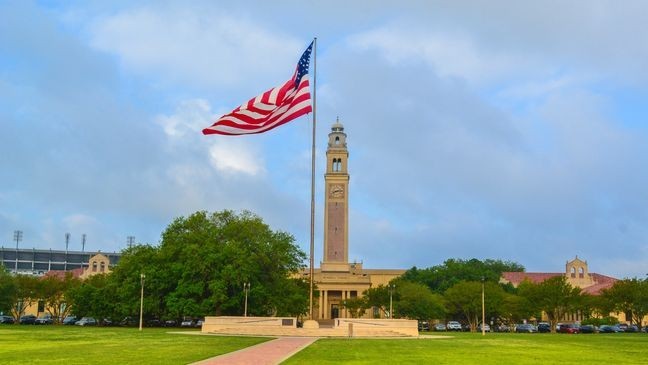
x: 554, y: 296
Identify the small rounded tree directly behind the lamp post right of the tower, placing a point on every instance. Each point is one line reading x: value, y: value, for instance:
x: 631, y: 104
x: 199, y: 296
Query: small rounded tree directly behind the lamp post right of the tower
x: 465, y: 299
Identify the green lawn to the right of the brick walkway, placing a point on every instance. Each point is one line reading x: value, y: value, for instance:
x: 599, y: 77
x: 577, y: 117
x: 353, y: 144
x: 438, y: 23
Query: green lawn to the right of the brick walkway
x: 496, y: 349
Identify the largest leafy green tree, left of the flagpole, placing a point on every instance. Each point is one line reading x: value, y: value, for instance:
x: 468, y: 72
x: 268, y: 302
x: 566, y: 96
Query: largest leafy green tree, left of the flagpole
x: 201, y: 264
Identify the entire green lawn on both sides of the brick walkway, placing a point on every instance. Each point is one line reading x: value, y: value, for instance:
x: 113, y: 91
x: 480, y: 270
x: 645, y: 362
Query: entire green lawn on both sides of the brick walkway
x: 88, y: 345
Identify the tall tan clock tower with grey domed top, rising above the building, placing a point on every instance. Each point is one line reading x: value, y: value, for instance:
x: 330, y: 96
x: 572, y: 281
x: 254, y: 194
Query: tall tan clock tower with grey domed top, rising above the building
x: 336, y: 202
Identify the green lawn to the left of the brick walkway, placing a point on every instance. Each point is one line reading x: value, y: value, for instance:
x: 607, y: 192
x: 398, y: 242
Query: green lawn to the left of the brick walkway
x: 110, y: 345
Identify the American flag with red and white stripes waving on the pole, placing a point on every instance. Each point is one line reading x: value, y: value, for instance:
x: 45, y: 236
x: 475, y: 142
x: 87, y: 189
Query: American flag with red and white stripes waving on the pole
x: 271, y: 109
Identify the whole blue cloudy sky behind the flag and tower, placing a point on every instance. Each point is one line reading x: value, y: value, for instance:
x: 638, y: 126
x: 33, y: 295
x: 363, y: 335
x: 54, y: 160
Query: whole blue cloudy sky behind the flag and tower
x: 495, y: 129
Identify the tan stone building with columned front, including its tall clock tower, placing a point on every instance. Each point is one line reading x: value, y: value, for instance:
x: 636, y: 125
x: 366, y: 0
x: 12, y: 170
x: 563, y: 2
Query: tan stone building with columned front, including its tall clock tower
x: 337, y: 279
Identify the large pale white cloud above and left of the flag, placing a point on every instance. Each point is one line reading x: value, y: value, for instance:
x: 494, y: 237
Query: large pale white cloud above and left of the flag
x: 197, y: 45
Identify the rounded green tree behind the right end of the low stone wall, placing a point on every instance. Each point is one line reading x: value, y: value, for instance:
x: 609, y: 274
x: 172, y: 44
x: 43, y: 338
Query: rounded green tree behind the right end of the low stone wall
x: 417, y: 301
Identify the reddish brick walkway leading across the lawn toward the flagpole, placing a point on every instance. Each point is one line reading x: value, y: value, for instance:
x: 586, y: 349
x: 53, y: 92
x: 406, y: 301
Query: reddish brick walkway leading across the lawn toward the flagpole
x: 267, y: 353
